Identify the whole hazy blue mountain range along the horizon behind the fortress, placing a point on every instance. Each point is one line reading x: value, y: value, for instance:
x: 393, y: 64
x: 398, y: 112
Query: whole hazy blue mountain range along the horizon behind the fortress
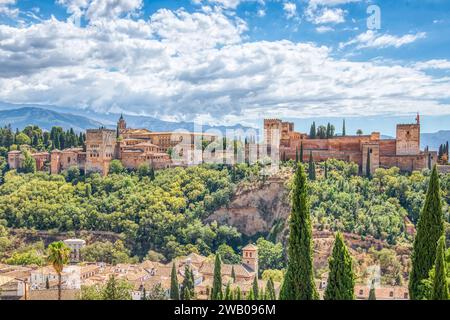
x: 19, y: 116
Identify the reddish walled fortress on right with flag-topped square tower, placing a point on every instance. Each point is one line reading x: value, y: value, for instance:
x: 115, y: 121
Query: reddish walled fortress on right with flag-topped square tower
x: 402, y: 152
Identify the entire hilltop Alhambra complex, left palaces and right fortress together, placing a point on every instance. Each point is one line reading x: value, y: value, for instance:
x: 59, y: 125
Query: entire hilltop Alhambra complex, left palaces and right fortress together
x: 134, y: 147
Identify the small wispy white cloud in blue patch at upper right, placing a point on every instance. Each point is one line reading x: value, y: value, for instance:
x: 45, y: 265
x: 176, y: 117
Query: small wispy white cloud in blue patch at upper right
x: 372, y: 39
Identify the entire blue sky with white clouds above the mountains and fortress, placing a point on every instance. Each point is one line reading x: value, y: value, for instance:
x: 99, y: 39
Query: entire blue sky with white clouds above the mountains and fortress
x: 228, y: 61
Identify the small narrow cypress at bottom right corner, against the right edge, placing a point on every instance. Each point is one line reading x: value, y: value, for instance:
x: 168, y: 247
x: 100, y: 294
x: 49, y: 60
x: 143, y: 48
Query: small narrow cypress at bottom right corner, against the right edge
x: 440, y: 285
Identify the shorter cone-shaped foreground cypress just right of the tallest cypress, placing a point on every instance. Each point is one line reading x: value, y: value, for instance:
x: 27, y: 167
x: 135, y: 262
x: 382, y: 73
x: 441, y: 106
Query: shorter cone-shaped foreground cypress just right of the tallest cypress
x: 341, y: 279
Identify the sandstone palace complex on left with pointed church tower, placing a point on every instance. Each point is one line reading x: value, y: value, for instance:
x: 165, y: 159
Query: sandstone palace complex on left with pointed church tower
x: 132, y: 147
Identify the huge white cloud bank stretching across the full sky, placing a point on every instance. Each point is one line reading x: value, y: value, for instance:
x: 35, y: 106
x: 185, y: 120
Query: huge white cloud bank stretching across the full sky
x: 183, y: 66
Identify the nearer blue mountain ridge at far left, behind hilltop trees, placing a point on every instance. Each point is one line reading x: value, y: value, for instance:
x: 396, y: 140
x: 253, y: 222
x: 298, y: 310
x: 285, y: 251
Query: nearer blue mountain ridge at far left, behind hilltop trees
x: 46, y: 119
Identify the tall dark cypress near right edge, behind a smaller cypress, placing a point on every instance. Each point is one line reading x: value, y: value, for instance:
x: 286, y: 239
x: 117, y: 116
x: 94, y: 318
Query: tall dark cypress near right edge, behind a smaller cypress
x: 430, y: 228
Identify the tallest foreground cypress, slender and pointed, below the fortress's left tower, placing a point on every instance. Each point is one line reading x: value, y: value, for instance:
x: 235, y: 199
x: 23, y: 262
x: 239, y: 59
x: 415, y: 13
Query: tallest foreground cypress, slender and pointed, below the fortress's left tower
x: 299, y: 279
